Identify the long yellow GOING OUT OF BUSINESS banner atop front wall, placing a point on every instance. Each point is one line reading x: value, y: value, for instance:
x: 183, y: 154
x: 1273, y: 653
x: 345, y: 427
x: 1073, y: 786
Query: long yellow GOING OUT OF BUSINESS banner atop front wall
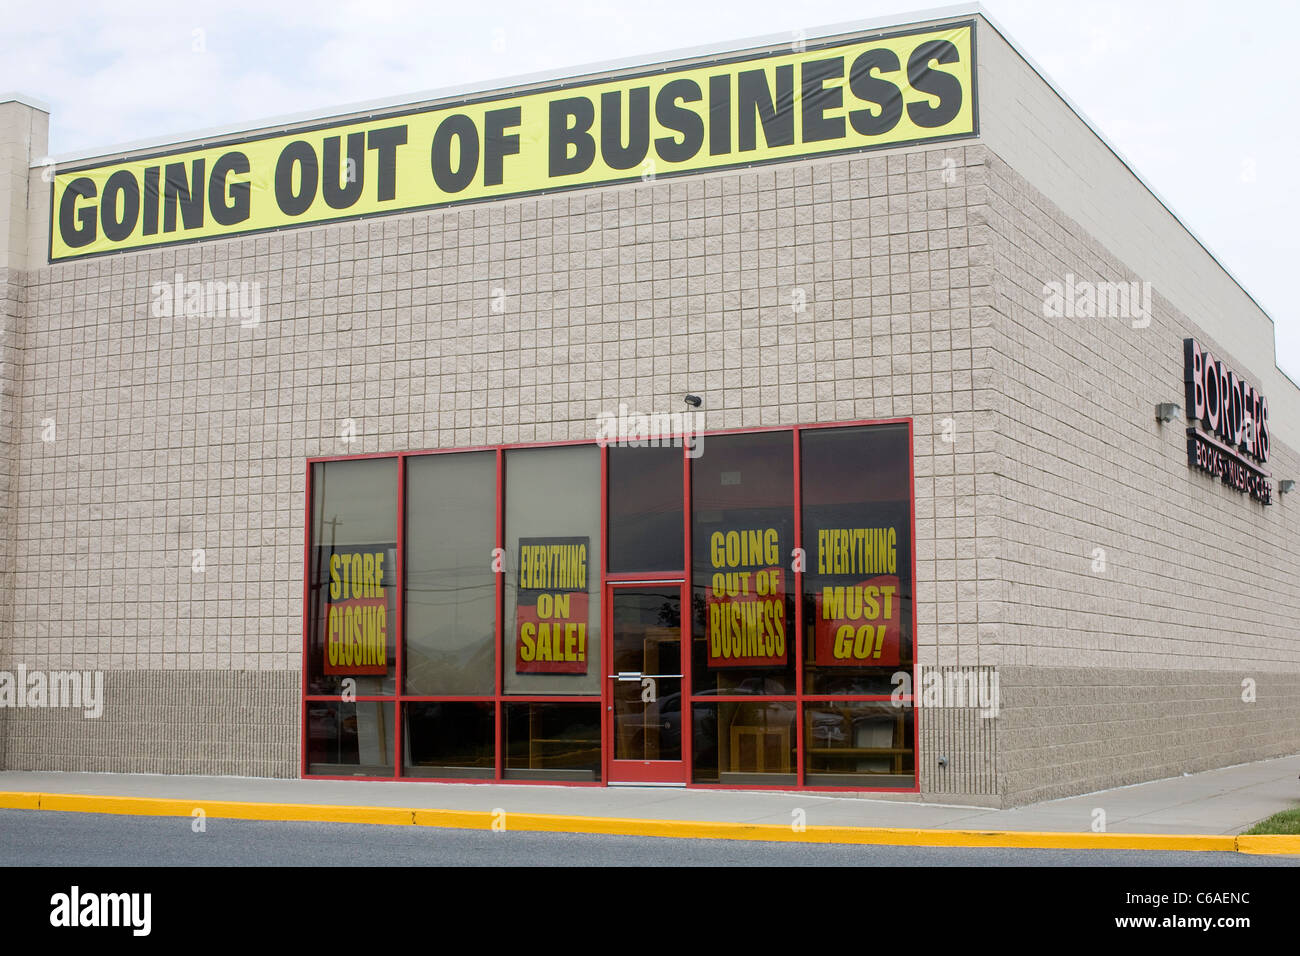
x: 799, y: 102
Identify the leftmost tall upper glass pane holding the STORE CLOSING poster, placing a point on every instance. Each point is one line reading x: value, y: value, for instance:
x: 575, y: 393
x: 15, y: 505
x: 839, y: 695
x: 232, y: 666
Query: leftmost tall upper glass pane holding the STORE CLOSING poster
x: 353, y: 577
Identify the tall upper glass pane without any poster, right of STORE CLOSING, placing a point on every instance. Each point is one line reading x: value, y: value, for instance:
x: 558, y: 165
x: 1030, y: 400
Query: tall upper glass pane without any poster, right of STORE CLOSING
x: 450, y: 587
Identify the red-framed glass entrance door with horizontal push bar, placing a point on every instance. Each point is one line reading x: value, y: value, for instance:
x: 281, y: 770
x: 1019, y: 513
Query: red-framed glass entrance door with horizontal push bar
x: 645, y: 707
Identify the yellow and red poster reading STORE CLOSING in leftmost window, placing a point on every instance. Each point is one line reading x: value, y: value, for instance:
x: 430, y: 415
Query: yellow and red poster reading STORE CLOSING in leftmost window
x: 357, y: 615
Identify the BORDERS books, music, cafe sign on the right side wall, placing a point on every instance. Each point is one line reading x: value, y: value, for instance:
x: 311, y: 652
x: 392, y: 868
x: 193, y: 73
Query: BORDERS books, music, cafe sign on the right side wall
x: 1233, y: 439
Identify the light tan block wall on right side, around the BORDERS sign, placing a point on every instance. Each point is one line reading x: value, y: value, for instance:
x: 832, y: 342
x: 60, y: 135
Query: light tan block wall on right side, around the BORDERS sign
x: 1195, y: 574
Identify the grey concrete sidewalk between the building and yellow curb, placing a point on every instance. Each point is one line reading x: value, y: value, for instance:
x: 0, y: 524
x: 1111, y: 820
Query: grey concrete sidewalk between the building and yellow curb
x: 1216, y: 802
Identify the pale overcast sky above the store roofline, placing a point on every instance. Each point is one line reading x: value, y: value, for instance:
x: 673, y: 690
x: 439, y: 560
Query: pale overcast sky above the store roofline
x: 1198, y: 97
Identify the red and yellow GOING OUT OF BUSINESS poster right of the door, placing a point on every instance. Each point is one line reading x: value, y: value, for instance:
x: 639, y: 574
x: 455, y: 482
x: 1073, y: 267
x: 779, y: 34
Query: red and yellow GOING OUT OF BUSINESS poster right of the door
x: 747, y: 600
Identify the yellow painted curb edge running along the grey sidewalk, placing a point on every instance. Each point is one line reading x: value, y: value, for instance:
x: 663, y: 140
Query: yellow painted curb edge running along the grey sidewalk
x: 679, y: 829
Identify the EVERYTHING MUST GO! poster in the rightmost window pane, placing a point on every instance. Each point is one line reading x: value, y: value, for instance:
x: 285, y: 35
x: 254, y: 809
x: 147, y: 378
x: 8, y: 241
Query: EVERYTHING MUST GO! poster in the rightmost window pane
x: 857, y: 624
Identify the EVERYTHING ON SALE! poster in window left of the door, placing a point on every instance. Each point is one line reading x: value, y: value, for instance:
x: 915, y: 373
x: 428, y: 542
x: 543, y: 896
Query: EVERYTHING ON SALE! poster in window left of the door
x: 553, y: 605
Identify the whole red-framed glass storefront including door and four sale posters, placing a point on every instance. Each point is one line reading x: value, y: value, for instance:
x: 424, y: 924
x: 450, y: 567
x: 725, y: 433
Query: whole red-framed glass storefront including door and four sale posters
x: 470, y: 646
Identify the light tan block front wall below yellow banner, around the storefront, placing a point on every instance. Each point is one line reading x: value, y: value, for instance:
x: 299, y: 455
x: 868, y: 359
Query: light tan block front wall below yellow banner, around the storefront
x: 192, y: 434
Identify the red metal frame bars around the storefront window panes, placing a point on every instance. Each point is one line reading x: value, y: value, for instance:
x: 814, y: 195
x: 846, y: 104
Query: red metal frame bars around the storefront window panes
x: 499, y: 699
